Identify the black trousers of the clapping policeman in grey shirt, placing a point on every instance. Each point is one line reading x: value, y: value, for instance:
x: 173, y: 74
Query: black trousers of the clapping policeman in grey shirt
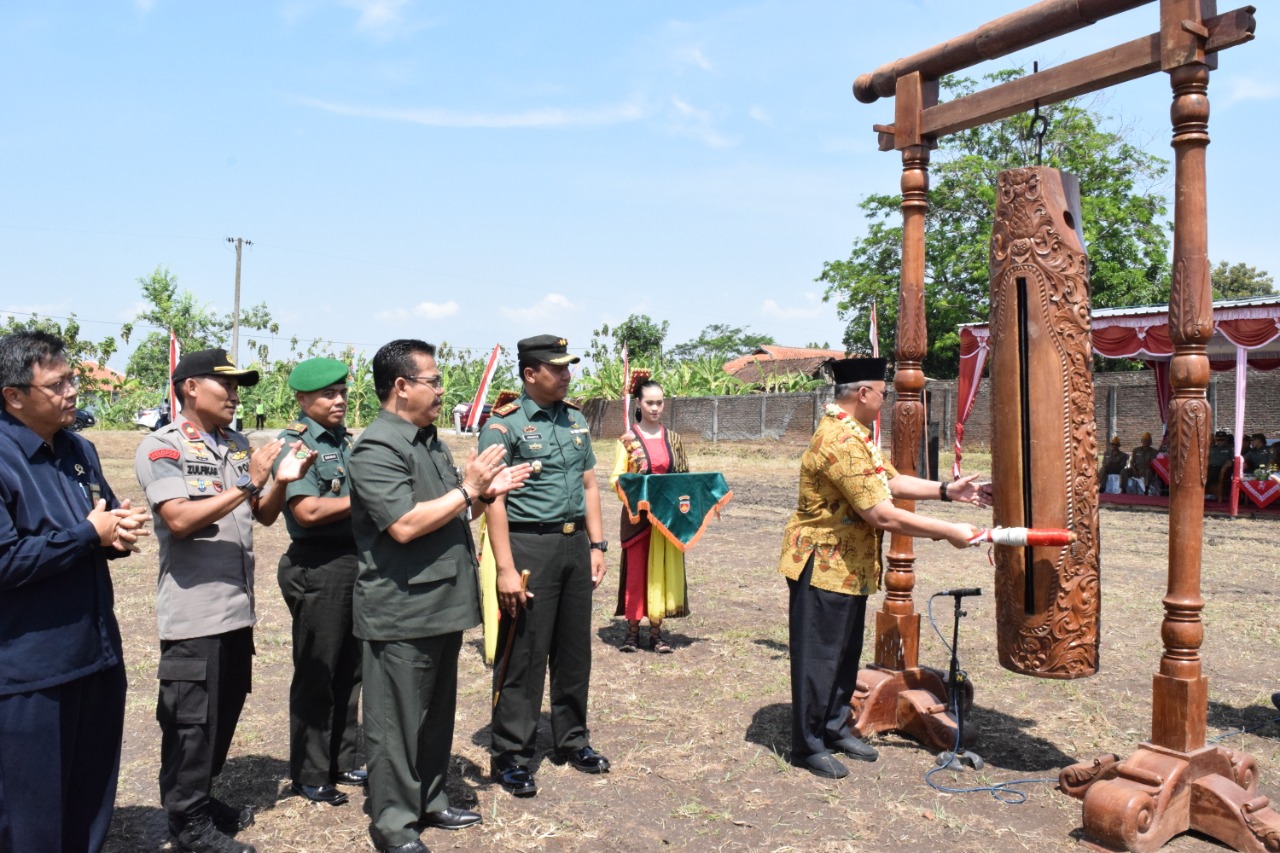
x: 203, y: 688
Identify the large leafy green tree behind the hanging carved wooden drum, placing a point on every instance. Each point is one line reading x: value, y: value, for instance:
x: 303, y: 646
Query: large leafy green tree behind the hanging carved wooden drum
x: 1122, y: 207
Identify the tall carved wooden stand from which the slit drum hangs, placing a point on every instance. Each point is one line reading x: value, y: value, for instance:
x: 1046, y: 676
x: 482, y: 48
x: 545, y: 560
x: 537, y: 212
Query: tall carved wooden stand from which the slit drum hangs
x: 1174, y: 782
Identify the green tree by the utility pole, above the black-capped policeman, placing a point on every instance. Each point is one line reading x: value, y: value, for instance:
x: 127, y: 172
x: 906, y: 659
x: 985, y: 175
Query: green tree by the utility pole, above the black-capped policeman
x: 196, y: 326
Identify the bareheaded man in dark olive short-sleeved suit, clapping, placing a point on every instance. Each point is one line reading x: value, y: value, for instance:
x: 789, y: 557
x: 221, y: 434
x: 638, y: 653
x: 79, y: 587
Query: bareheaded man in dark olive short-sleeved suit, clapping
x: 417, y: 592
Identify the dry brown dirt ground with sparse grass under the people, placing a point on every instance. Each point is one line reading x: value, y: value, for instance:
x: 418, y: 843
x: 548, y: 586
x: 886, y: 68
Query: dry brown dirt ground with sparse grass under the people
x: 700, y: 738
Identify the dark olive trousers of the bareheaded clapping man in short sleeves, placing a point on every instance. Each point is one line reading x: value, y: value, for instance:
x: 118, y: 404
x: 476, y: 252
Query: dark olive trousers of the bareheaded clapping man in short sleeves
x: 412, y: 694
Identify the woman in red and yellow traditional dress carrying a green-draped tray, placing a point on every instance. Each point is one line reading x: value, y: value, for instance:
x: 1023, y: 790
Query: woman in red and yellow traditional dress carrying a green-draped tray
x: 652, y: 583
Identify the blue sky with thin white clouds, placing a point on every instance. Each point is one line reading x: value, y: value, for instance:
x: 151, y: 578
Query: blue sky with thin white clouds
x: 477, y: 174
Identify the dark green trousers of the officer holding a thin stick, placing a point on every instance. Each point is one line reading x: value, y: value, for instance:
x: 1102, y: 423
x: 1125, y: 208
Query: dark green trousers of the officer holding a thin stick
x: 555, y: 631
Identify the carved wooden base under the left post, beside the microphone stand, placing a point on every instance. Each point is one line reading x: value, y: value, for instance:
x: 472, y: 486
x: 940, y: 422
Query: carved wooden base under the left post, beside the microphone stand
x: 909, y: 701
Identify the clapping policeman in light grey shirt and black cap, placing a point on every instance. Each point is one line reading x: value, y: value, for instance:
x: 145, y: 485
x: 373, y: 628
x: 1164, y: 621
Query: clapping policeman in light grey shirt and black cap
x: 205, y: 486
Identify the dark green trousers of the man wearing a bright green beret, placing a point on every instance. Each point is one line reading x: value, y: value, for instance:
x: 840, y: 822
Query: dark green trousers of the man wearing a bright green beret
x: 317, y: 581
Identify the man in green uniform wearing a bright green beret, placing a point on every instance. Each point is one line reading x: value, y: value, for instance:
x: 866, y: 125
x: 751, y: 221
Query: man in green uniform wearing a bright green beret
x: 318, y: 574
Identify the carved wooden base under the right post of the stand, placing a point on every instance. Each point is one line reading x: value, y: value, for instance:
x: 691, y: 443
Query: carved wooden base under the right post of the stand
x: 1142, y: 802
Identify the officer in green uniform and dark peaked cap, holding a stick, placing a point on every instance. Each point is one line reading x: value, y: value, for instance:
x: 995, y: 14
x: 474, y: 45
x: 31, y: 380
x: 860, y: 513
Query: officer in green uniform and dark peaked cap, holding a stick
x: 551, y: 528
